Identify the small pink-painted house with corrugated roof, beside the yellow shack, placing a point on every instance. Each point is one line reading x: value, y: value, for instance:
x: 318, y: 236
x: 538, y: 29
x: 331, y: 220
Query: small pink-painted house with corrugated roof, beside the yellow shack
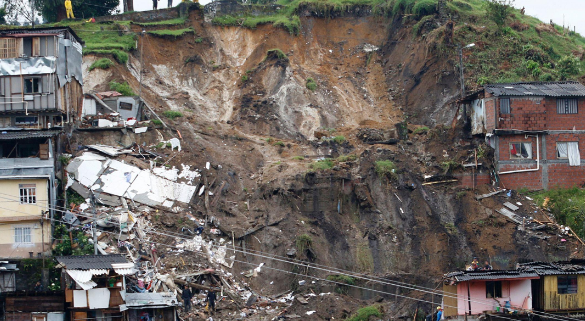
x: 474, y: 292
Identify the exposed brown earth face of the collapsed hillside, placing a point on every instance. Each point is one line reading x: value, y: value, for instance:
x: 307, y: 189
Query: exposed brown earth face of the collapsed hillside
x: 239, y: 101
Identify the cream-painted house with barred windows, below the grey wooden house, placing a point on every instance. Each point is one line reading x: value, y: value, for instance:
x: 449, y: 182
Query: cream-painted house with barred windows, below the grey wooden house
x: 28, y: 192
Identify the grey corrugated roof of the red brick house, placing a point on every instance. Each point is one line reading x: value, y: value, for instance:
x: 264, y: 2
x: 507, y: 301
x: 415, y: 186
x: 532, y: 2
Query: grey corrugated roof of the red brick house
x: 550, y: 89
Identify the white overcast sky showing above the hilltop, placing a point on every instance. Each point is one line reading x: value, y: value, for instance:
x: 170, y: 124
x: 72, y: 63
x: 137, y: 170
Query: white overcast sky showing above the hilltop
x: 572, y: 10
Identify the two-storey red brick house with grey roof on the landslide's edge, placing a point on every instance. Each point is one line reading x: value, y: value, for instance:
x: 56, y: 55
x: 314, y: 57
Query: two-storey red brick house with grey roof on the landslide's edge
x: 537, y: 131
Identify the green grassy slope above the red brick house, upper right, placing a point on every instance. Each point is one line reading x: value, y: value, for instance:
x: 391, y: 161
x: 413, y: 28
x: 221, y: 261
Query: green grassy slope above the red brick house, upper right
x: 525, y: 49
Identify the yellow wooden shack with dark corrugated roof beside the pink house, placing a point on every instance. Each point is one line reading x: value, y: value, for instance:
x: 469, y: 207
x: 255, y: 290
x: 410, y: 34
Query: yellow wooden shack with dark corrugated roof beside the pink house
x: 560, y: 286
